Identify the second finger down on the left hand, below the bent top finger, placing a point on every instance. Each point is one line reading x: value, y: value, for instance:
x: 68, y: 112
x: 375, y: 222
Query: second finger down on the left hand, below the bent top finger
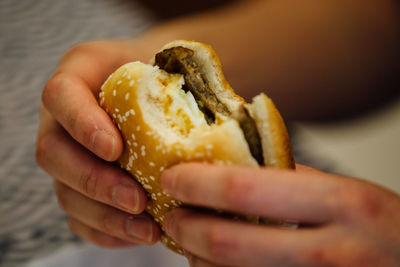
x: 68, y: 162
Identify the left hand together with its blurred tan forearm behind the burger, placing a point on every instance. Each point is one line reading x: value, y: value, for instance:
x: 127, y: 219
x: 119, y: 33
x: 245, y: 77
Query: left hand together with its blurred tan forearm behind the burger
x: 287, y: 57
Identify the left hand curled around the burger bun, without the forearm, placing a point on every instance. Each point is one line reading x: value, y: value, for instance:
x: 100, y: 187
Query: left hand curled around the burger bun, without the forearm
x: 77, y: 142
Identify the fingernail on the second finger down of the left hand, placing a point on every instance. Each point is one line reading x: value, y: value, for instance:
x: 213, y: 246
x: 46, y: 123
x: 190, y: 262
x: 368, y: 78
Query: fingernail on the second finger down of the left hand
x: 127, y: 197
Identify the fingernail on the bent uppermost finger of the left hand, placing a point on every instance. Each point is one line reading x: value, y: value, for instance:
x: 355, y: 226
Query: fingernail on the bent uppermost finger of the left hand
x: 103, y: 144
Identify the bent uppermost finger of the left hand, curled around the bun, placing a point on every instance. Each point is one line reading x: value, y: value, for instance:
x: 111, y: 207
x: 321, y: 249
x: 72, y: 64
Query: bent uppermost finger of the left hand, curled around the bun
x: 71, y: 95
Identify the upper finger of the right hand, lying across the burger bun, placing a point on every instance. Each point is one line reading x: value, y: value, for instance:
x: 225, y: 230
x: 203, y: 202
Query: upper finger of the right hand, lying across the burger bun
x: 281, y: 194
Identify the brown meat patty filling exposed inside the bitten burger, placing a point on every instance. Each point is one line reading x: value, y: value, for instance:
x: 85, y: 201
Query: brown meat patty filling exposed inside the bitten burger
x: 180, y: 60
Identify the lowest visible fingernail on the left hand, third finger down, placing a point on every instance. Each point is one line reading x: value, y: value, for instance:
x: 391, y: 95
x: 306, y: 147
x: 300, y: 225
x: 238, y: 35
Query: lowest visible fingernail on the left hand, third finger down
x: 140, y: 227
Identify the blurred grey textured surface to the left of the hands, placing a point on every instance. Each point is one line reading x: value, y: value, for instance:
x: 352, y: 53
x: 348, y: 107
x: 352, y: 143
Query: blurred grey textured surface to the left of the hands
x: 33, y: 36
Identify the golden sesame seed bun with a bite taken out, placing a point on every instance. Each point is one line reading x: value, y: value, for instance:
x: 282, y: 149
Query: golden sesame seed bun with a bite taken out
x: 161, y: 125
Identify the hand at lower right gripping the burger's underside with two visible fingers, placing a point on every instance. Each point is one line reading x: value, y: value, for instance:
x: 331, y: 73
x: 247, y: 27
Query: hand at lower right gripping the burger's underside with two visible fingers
x: 343, y: 221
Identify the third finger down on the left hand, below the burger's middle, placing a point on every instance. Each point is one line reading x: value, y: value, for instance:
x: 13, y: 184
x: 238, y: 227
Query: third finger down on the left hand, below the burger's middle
x: 137, y: 229
